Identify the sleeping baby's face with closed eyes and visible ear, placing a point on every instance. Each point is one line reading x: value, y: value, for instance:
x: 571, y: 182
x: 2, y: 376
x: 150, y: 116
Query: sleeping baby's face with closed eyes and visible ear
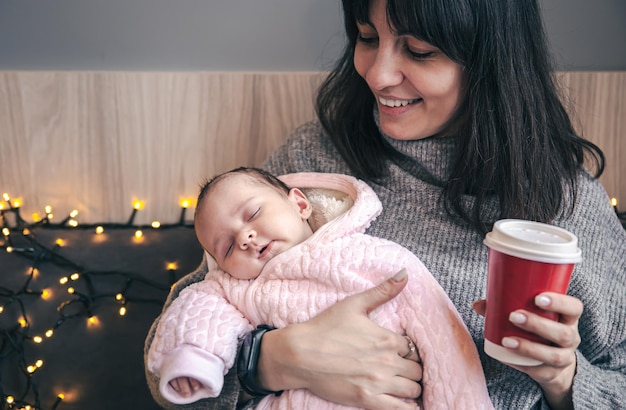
x: 243, y: 224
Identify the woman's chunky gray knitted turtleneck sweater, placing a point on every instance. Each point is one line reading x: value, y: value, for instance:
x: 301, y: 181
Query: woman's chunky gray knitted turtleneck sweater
x: 413, y: 215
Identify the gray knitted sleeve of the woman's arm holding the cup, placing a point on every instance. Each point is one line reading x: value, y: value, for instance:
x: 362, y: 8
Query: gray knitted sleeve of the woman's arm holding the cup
x: 600, y: 282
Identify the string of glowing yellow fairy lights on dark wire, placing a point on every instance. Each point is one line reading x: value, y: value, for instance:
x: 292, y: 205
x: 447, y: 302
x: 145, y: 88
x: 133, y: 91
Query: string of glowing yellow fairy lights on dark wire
x: 84, y: 295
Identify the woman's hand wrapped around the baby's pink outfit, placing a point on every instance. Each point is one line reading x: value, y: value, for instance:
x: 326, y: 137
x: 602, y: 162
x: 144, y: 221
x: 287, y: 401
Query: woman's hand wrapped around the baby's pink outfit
x: 343, y: 357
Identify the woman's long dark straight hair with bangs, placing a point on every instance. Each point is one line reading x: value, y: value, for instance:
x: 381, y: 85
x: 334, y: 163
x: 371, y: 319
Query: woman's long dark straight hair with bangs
x: 517, y: 140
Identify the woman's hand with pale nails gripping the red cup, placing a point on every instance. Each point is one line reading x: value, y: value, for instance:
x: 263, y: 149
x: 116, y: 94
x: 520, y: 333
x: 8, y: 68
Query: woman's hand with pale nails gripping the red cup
x: 556, y: 374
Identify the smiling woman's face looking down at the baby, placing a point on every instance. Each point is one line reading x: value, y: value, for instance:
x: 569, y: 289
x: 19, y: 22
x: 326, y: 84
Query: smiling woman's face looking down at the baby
x: 416, y: 86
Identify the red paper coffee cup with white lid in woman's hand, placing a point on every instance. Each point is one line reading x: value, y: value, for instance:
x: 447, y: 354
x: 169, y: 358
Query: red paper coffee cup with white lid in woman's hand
x: 525, y: 259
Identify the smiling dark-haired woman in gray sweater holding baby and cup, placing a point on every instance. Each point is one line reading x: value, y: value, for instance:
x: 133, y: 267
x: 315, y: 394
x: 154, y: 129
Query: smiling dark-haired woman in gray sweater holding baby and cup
x: 449, y: 110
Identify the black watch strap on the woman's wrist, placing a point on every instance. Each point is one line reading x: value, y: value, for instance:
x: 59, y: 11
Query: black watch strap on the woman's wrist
x: 248, y: 360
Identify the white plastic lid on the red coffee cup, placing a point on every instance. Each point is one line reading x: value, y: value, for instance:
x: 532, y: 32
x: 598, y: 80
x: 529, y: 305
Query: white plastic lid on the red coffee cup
x: 534, y: 240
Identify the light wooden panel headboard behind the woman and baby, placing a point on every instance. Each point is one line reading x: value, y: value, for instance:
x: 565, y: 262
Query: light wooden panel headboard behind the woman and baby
x: 98, y: 141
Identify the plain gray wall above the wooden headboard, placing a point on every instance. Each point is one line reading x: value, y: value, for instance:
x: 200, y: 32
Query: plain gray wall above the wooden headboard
x: 246, y: 35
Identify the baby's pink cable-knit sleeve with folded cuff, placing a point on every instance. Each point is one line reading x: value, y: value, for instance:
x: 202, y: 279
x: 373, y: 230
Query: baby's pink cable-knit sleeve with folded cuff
x: 196, y: 337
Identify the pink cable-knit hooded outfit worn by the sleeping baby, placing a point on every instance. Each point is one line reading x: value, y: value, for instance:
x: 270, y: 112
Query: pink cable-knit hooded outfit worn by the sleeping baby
x: 198, y: 333
